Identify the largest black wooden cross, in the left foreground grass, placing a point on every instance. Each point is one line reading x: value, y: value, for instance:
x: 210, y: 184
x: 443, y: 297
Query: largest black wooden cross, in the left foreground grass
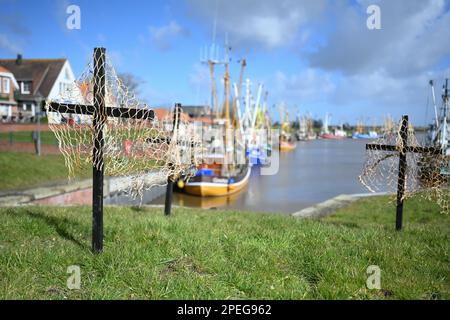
x: 100, y: 113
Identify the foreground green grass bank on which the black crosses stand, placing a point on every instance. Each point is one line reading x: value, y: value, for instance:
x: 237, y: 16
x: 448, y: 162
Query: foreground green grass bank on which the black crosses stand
x: 212, y: 254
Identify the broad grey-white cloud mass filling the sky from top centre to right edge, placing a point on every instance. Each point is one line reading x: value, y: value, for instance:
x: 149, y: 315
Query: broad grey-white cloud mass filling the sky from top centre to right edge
x: 349, y: 69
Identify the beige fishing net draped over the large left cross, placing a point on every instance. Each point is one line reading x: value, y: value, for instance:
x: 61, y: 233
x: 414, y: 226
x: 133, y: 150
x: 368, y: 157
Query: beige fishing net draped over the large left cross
x: 135, y: 142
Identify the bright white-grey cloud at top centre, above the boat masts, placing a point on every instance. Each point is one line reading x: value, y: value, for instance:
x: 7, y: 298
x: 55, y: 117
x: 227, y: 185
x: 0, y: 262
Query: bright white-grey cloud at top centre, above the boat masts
x: 269, y: 23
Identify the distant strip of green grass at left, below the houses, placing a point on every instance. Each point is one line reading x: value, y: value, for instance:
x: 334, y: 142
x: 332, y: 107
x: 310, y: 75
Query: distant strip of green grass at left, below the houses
x: 20, y: 170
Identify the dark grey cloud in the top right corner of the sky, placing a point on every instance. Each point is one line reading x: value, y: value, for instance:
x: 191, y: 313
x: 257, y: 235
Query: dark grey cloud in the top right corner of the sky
x: 413, y: 38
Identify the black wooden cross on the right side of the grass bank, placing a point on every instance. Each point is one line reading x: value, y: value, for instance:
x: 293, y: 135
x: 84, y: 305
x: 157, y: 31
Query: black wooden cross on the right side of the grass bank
x: 402, y: 165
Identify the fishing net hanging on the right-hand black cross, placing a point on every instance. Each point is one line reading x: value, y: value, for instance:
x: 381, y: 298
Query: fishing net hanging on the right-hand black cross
x: 425, y: 174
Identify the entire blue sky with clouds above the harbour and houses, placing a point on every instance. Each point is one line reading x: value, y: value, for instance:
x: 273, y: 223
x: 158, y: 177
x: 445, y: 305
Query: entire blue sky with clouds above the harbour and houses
x: 317, y: 56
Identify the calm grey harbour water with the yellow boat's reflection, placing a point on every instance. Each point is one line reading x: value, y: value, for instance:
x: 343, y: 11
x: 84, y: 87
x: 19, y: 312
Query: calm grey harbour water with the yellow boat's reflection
x: 314, y: 172
